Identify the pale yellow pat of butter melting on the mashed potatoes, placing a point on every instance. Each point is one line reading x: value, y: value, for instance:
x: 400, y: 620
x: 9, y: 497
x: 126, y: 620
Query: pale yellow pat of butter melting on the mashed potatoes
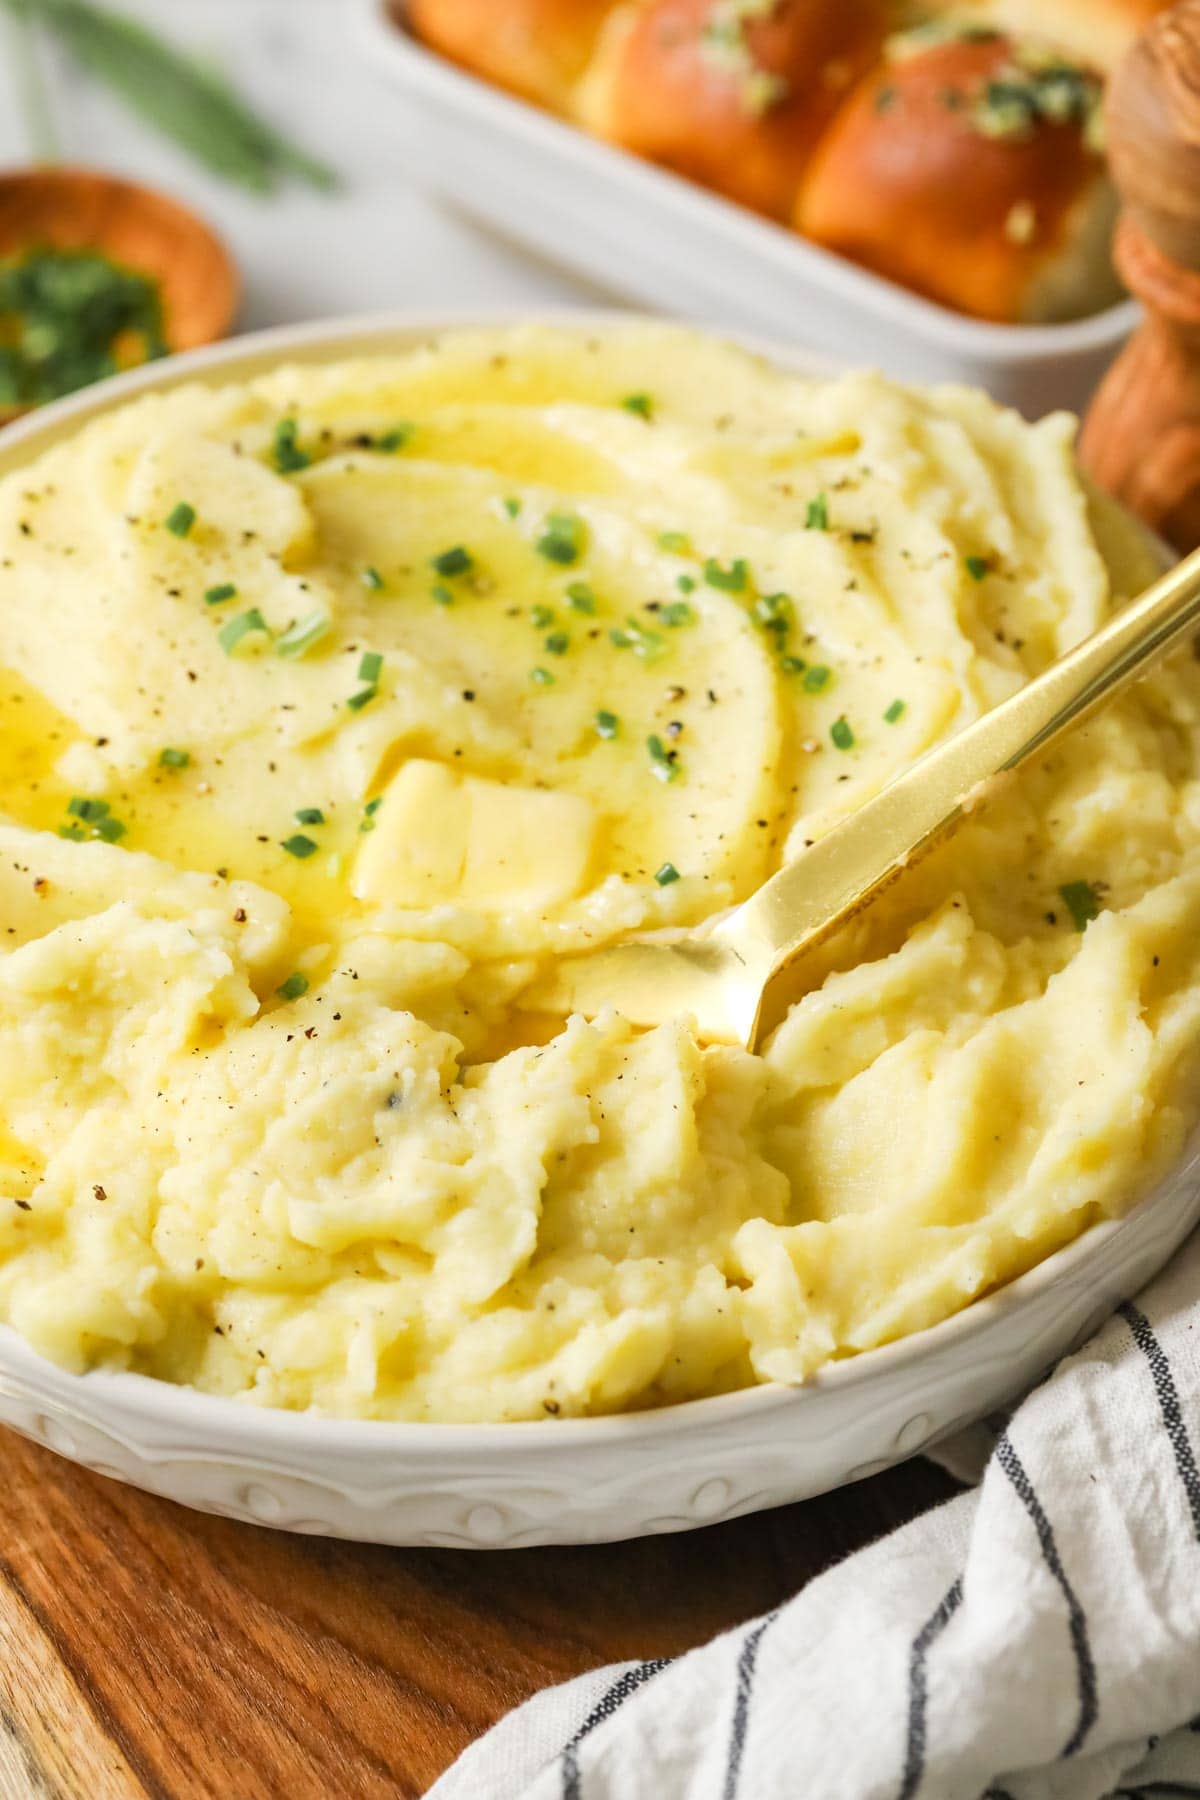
x: 490, y: 845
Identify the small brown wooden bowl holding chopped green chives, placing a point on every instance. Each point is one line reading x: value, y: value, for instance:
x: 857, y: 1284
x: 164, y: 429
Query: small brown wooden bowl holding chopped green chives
x: 82, y: 210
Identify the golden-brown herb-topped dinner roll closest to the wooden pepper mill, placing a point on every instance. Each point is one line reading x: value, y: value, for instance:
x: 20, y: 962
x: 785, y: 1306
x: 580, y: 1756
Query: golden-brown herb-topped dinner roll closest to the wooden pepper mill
x: 972, y: 172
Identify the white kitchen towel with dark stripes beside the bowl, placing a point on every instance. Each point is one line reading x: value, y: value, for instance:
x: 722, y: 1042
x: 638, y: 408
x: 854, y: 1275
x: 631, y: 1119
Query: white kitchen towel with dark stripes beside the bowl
x: 1035, y: 1639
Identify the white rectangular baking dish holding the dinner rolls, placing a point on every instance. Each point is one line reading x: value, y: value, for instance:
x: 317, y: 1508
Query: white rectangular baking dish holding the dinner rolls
x: 654, y: 238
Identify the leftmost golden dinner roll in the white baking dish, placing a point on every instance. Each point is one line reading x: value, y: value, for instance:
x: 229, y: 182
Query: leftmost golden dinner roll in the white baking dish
x: 533, y: 48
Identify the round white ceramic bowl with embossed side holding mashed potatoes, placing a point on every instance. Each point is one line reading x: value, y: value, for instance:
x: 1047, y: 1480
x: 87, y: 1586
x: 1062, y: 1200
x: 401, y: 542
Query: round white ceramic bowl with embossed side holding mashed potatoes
x: 569, y: 1480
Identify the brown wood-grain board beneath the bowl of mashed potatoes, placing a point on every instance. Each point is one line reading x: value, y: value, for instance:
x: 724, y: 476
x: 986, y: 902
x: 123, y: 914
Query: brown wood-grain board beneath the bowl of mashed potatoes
x: 152, y: 1651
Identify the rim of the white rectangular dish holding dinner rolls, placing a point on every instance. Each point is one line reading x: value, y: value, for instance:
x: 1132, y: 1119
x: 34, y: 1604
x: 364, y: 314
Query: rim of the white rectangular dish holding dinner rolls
x: 882, y: 300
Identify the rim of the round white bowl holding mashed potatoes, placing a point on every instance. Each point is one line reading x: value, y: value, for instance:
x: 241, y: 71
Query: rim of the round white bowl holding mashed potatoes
x: 247, y: 1425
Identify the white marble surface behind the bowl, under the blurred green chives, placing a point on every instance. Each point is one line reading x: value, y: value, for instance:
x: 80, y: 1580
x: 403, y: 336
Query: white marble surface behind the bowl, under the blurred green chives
x: 379, y: 242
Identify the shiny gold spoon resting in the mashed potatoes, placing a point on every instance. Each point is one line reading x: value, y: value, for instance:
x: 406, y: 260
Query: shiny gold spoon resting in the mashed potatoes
x: 739, y: 978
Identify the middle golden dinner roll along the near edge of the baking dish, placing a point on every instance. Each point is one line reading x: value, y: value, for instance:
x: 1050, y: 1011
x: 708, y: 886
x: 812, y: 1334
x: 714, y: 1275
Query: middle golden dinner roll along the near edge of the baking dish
x: 730, y: 93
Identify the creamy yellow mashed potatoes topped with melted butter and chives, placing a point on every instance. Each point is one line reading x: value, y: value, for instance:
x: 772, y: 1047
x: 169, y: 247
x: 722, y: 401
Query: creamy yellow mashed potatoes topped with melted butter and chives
x: 336, y: 705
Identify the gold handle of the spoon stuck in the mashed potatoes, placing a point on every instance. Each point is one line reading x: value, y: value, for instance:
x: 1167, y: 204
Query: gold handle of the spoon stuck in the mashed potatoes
x: 810, y: 899
